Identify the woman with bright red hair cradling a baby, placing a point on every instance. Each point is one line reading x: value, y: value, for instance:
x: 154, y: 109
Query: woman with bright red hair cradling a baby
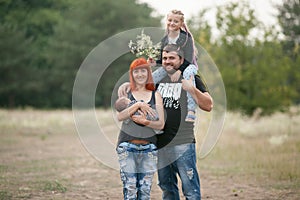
x: 136, y: 148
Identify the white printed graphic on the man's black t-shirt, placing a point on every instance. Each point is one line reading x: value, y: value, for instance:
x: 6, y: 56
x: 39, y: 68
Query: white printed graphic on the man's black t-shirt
x: 170, y: 93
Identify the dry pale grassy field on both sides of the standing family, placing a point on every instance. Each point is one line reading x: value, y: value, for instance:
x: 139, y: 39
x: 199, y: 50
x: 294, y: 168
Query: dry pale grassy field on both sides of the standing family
x: 42, y: 157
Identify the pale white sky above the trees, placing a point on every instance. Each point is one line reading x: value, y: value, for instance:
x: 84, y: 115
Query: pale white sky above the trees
x: 263, y: 8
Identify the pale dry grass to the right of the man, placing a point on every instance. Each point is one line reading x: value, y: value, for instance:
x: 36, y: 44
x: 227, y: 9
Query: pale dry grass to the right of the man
x: 262, y: 148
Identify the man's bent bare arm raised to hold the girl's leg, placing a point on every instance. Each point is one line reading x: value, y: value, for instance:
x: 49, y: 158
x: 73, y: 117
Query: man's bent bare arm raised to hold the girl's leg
x: 202, y: 98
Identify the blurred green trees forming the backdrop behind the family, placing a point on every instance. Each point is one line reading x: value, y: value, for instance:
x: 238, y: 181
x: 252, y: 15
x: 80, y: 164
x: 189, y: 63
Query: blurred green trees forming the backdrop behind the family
x: 43, y: 44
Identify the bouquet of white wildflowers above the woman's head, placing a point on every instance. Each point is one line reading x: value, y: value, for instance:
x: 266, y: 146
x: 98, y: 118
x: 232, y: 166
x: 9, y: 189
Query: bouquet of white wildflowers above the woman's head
x: 143, y: 46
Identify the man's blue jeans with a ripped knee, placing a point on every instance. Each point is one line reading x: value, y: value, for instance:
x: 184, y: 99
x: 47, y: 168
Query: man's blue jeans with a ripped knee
x: 185, y: 166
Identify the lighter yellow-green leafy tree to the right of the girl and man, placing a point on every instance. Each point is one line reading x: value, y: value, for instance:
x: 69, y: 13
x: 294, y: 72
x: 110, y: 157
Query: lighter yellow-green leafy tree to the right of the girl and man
x: 255, y: 70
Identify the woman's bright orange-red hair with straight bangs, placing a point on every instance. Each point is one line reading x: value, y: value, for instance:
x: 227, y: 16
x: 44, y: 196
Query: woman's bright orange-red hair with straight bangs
x: 141, y: 63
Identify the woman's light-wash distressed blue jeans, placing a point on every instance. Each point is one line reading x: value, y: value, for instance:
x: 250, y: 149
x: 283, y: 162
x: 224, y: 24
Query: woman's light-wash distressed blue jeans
x: 138, y: 163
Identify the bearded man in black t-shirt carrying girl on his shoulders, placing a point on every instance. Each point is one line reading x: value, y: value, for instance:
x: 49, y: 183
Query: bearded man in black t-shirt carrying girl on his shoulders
x: 176, y: 145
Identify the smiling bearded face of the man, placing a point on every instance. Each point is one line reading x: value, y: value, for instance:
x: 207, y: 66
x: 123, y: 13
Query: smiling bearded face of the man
x: 171, y: 61
